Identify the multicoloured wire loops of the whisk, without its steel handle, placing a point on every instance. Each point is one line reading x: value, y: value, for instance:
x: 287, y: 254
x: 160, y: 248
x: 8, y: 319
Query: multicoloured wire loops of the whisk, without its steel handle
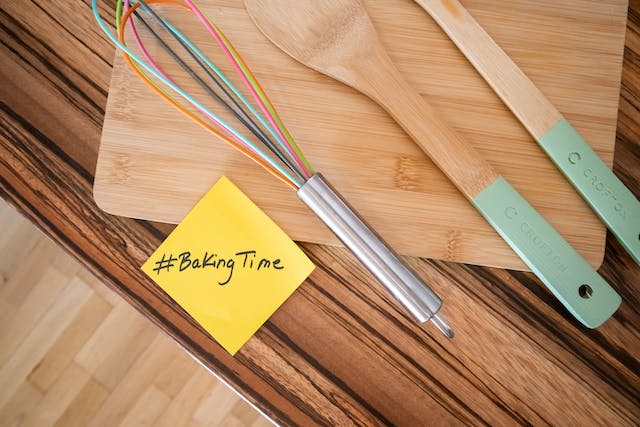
x: 280, y: 154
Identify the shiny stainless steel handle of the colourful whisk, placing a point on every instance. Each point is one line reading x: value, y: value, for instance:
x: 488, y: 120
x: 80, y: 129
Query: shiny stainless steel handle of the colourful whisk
x: 403, y: 283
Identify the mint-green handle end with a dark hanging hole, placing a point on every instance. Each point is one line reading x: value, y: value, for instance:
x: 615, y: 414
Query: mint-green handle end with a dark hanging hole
x: 588, y: 297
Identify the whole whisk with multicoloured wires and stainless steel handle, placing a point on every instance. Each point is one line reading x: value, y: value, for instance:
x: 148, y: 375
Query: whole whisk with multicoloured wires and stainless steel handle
x: 270, y: 144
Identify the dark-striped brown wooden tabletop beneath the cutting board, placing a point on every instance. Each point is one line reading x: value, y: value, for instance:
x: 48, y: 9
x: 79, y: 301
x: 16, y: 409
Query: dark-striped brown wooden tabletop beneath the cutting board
x: 338, y: 351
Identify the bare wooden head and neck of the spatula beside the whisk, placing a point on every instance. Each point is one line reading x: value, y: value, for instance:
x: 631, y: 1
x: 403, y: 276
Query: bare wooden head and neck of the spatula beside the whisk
x: 351, y: 52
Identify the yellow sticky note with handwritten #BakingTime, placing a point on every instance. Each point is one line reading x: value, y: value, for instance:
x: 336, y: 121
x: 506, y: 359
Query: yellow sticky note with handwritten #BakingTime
x: 228, y: 265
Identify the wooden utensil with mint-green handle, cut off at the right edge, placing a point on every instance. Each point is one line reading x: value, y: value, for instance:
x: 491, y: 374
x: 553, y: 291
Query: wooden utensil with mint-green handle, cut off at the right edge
x: 612, y: 201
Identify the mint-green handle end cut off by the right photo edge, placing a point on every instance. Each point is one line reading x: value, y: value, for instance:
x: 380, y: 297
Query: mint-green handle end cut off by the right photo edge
x: 606, y: 194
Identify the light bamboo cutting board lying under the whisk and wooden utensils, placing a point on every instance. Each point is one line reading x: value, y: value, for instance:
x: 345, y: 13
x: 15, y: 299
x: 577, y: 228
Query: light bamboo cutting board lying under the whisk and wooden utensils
x: 154, y: 164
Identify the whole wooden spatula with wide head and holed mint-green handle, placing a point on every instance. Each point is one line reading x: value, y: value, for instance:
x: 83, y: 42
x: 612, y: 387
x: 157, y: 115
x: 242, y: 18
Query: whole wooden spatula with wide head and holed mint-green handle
x: 337, y: 38
